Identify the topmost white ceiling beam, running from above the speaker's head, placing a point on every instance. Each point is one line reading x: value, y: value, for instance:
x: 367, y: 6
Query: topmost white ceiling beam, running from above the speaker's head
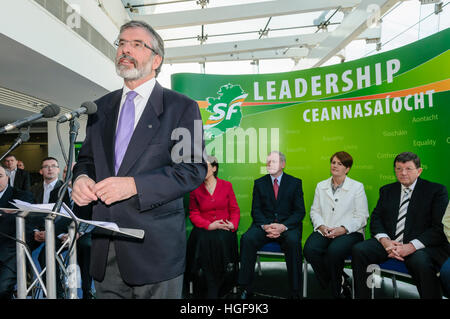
x: 241, y: 12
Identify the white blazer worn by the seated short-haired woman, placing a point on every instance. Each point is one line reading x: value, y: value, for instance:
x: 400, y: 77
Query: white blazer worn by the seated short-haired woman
x: 347, y: 207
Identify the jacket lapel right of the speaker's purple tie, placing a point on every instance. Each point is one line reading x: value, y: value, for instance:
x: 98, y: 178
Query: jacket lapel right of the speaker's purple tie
x: 145, y: 130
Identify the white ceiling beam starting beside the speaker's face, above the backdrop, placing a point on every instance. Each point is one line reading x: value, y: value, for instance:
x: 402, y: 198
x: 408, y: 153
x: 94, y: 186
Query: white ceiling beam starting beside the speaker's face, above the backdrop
x: 180, y: 54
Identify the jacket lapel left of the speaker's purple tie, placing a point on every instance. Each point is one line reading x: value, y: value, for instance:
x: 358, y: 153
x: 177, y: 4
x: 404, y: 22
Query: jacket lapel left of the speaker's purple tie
x: 109, y: 128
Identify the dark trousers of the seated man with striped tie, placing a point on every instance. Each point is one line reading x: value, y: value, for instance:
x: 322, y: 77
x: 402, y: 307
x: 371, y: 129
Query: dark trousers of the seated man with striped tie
x: 422, y: 265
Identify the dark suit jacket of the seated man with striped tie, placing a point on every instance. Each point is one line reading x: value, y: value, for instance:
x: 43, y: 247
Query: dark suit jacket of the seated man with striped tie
x: 424, y: 217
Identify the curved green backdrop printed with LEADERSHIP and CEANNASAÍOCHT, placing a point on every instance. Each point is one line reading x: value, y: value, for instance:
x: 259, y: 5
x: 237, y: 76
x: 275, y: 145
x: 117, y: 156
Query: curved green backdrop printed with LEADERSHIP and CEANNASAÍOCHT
x: 373, y: 108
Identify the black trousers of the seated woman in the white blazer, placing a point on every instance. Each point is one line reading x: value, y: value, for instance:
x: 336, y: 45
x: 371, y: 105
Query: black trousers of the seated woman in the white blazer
x: 327, y: 257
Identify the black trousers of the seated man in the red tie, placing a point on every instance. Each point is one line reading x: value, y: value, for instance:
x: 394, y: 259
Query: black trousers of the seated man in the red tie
x: 291, y: 245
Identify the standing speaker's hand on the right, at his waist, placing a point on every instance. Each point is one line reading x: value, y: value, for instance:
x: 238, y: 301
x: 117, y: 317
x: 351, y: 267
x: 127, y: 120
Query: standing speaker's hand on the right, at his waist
x: 115, y: 189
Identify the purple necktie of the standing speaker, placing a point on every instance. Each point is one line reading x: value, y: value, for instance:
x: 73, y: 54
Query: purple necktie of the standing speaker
x: 125, y: 129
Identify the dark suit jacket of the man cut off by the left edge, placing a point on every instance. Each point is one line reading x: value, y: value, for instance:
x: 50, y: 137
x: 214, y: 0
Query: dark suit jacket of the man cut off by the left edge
x: 8, y: 222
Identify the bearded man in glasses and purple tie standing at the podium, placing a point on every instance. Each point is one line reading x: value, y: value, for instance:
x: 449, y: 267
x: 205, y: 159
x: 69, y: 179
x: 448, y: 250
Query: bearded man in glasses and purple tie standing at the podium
x: 129, y: 169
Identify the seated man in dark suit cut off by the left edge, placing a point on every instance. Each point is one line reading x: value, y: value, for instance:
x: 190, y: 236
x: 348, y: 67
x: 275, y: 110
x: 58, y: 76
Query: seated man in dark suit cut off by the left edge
x: 8, y: 270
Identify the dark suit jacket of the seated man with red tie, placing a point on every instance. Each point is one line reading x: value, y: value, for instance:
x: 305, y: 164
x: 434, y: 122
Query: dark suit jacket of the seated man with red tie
x: 288, y: 209
